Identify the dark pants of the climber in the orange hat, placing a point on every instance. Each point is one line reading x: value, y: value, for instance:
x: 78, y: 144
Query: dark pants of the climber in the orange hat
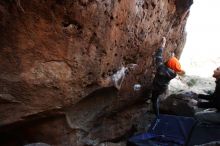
x: 155, y: 100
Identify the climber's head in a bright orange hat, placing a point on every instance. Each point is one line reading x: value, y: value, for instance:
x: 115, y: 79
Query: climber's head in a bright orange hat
x: 174, y: 64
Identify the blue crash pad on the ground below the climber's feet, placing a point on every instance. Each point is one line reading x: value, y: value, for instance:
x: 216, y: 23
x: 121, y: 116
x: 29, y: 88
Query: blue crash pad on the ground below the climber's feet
x: 165, y: 130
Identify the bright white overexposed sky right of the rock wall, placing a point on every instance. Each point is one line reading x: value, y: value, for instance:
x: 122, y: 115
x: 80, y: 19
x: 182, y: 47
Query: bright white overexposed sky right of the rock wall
x: 201, y: 53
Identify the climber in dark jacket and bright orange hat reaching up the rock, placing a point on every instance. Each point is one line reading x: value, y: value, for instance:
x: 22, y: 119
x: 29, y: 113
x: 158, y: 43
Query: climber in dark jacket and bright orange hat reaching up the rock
x: 165, y: 71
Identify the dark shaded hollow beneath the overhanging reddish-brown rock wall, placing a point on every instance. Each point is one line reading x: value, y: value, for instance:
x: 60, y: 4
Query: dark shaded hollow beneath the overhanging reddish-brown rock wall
x: 99, y: 118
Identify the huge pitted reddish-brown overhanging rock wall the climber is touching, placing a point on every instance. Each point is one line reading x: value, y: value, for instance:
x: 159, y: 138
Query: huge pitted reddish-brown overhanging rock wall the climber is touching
x: 55, y: 54
